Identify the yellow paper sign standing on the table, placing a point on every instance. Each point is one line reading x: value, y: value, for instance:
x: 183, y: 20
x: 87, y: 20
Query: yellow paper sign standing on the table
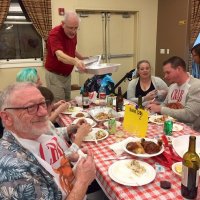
x: 135, y: 121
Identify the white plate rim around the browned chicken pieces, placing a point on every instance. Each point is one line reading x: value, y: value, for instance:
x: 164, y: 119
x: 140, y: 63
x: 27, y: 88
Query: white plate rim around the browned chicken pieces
x: 144, y: 155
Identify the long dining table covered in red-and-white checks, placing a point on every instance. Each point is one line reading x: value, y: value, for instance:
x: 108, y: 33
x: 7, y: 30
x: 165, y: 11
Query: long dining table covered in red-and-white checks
x: 116, y: 191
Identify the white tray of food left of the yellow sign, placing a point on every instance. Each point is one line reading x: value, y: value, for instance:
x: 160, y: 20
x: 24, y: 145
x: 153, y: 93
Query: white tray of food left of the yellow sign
x: 101, y: 114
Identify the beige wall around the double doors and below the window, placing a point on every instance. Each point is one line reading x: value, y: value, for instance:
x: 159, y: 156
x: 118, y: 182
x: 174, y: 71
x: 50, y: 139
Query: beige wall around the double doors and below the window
x: 147, y: 23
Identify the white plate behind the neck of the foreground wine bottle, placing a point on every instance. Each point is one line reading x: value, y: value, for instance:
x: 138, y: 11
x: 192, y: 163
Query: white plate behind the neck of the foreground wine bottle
x: 181, y: 143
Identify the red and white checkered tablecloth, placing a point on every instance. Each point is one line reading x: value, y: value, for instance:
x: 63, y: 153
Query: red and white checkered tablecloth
x: 117, y: 191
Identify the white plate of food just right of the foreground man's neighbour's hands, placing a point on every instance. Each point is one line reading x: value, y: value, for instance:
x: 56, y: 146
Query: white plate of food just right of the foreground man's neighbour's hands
x: 96, y: 134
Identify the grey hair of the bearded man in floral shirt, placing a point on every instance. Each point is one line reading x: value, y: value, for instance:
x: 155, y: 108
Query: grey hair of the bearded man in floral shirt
x: 7, y: 94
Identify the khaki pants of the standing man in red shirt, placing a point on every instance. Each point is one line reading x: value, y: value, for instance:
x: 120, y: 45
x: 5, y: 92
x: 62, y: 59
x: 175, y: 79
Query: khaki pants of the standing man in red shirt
x: 59, y: 85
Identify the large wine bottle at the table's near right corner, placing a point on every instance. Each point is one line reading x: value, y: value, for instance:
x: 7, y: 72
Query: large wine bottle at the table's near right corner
x: 190, y: 172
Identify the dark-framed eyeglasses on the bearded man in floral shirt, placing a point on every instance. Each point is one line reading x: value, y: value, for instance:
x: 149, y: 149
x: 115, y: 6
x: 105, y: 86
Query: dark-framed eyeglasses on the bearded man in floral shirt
x: 32, y: 109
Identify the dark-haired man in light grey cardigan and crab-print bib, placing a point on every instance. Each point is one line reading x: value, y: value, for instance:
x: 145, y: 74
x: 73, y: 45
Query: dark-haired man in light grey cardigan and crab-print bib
x: 184, y: 90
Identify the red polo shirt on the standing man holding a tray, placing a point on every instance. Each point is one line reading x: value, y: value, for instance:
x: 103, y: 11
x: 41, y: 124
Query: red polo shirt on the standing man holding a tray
x: 57, y: 40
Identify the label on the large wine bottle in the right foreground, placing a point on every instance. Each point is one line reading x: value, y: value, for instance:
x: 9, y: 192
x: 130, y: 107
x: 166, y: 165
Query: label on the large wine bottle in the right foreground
x: 190, y: 177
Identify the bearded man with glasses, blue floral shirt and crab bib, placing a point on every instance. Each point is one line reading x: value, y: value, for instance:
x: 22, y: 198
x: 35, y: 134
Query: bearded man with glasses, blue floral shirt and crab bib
x: 32, y: 161
